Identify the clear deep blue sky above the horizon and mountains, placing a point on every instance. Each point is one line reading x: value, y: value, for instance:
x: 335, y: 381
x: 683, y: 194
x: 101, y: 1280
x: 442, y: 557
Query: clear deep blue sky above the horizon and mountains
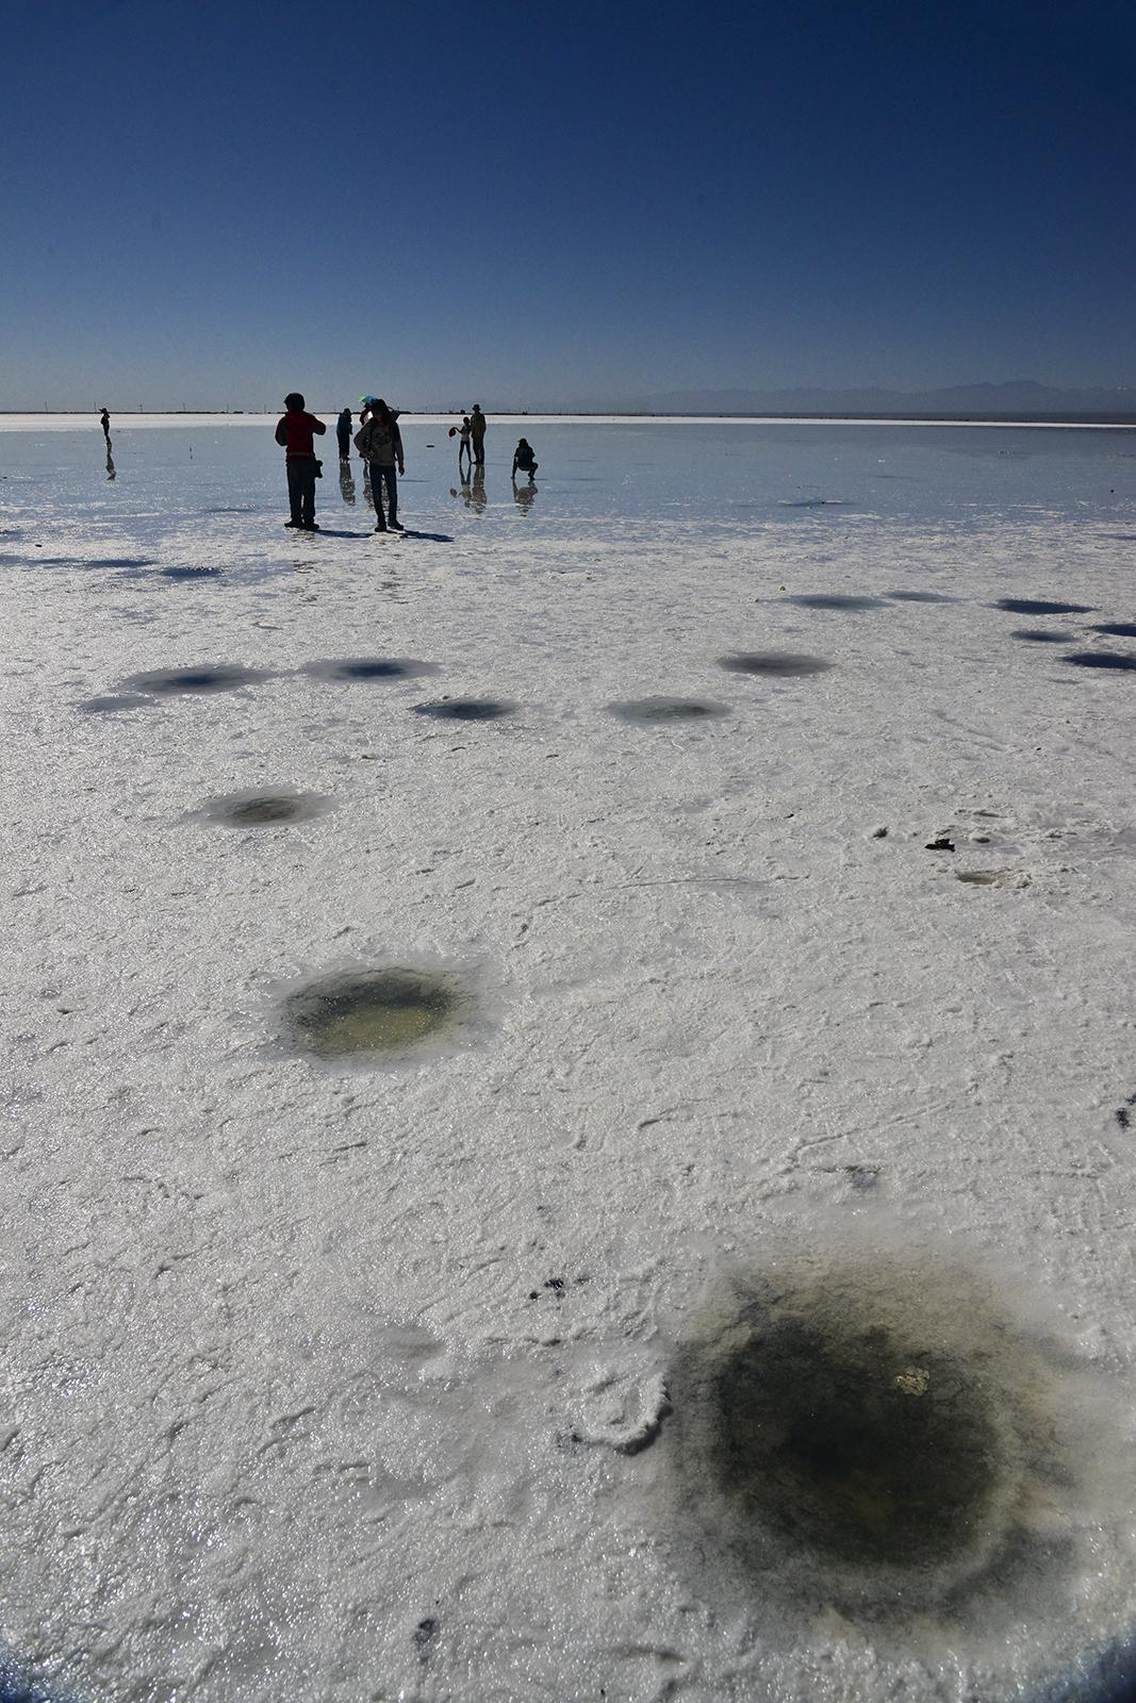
x: 214, y: 202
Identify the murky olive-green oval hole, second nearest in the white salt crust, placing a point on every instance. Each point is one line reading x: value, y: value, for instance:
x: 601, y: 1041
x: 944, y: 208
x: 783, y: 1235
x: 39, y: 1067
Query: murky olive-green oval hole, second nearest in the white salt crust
x: 379, y: 1011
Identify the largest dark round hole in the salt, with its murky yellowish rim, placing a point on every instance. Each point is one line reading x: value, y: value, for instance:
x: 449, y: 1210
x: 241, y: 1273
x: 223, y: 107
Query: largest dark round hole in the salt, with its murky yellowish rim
x: 875, y: 1436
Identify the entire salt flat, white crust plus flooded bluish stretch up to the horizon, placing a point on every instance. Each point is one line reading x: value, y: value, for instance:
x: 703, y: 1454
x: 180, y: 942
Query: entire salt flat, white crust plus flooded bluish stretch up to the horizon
x: 410, y: 1379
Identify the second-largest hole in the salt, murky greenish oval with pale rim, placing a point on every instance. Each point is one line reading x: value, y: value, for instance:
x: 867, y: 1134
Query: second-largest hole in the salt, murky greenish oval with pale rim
x: 381, y: 1016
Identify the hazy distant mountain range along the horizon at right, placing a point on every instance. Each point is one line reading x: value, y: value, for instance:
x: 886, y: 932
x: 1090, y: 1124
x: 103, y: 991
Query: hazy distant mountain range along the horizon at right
x: 1018, y: 399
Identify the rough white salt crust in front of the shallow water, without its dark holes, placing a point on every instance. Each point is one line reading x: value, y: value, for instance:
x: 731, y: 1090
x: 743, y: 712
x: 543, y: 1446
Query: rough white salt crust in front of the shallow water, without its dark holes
x: 275, y: 1387
